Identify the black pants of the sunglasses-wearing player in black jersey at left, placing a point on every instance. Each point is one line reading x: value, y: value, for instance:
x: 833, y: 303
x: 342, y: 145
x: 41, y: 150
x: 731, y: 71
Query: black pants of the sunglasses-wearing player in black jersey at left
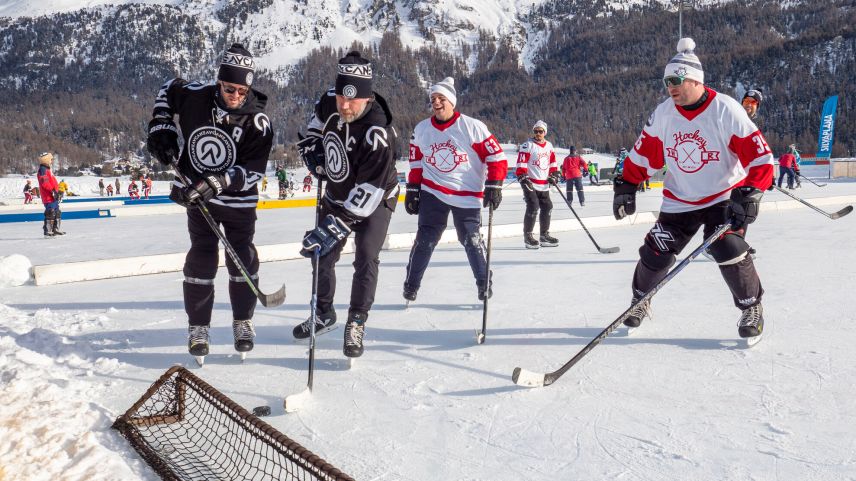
x: 200, y: 265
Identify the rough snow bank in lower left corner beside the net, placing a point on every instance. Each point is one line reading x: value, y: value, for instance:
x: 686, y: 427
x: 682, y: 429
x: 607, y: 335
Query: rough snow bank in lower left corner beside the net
x: 49, y: 387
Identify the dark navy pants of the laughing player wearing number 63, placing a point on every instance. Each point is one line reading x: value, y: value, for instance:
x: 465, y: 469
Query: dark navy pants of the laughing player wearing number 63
x: 433, y: 218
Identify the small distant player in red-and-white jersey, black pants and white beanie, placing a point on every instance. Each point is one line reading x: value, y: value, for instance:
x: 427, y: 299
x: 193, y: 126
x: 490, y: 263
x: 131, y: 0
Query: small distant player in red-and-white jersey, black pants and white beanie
x: 537, y: 170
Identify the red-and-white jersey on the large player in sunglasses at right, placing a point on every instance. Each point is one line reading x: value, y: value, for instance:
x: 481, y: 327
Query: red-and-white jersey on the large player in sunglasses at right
x: 709, y: 151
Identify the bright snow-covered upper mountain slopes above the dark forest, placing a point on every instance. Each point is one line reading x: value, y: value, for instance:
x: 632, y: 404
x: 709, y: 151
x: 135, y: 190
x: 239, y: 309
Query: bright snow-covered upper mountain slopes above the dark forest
x: 281, y: 32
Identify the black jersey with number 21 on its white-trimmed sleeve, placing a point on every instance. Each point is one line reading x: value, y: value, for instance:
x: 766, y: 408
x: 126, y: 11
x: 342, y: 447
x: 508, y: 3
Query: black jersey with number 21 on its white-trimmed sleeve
x: 359, y: 156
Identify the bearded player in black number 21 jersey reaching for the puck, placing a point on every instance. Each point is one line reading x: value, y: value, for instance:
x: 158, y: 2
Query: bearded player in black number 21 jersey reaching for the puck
x: 350, y: 144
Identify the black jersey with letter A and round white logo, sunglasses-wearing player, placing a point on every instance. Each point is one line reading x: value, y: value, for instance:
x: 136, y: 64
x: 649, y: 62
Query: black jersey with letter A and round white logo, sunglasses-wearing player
x: 232, y: 142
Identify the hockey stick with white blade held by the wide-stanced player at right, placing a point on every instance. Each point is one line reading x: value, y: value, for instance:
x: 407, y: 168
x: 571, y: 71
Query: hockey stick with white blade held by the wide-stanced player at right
x: 522, y: 377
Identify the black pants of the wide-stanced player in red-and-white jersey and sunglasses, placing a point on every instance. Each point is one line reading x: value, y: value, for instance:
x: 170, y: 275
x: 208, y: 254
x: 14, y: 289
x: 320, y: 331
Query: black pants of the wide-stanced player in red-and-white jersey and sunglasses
x: 670, y: 235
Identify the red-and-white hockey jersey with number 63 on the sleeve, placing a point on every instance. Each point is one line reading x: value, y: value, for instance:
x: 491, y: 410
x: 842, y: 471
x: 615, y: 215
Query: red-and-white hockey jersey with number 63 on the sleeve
x: 452, y: 160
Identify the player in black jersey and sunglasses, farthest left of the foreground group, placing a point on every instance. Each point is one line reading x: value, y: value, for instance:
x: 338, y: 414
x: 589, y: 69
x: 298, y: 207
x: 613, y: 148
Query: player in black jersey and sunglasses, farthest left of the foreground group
x: 226, y: 142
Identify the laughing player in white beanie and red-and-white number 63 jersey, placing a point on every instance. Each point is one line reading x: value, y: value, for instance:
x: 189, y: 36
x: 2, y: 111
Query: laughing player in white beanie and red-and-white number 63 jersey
x: 456, y: 166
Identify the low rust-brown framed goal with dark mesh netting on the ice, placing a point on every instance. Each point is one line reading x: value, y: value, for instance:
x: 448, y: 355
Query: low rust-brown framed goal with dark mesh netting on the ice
x: 187, y: 430
